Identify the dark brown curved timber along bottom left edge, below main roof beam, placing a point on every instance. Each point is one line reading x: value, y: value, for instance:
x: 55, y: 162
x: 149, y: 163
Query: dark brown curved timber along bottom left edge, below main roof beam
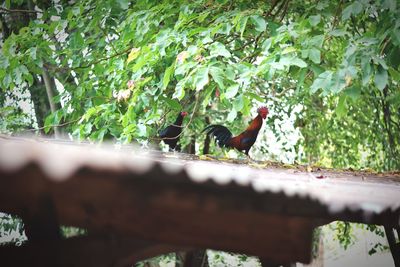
x: 83, y: 251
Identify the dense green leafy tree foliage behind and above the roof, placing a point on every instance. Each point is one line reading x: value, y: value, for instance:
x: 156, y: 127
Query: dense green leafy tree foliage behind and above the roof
x: 128, y: 68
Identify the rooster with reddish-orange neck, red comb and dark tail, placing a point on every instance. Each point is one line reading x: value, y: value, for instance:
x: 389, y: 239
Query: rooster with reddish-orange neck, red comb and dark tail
x: 244, y: 141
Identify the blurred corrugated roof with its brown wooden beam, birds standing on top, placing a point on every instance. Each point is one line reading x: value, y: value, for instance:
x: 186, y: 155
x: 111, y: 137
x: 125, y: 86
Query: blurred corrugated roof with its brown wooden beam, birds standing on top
x: 268, y: 213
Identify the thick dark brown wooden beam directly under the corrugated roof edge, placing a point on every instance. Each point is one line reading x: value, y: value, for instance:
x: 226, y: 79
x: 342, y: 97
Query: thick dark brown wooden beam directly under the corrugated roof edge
x: 183, y: 214
